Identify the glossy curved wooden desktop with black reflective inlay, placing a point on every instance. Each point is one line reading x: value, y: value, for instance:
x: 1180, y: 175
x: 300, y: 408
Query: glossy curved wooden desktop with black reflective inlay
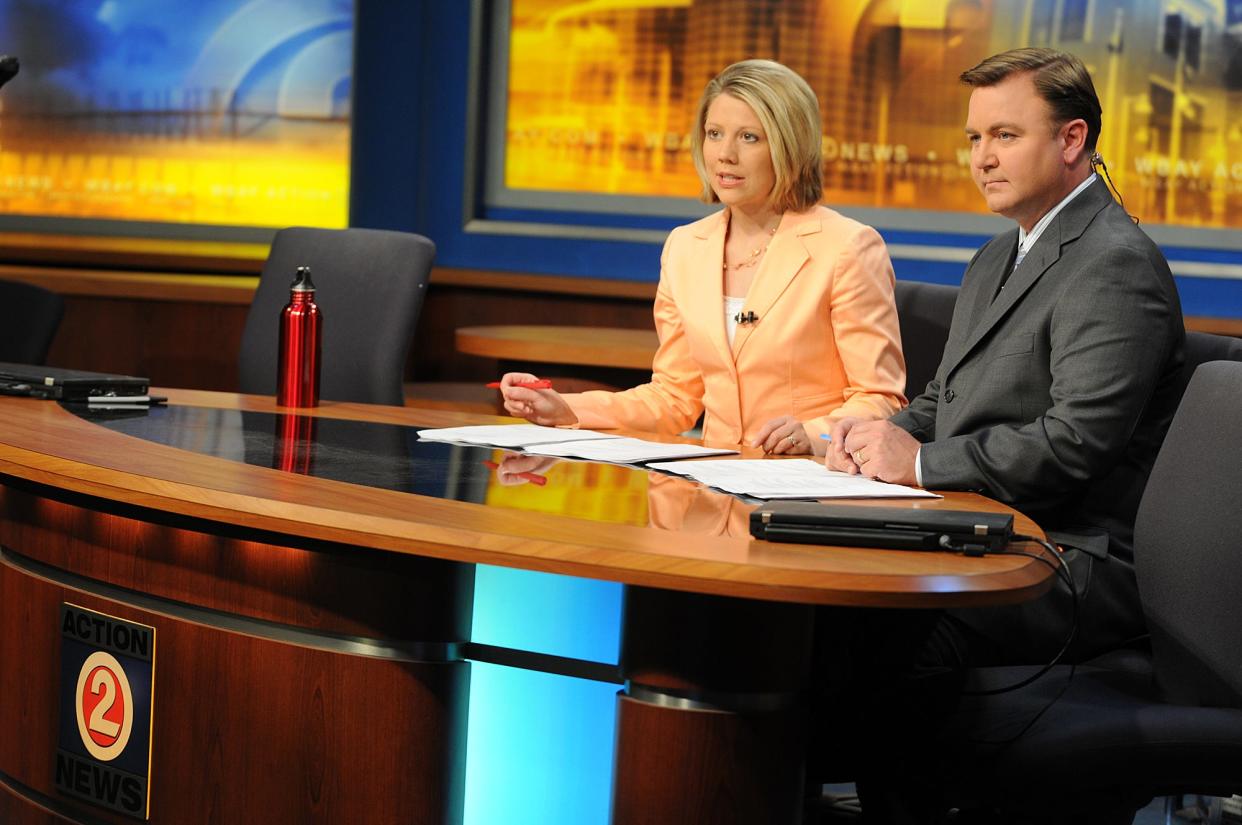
x: 212, y: 455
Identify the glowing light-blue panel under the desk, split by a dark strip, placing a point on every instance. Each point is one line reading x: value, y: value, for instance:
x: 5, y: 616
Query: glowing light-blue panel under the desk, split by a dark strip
x: 540, y: 749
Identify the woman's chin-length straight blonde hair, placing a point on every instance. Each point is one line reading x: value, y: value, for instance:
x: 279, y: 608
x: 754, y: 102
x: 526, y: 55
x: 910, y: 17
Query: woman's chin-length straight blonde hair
x: 789, y: 114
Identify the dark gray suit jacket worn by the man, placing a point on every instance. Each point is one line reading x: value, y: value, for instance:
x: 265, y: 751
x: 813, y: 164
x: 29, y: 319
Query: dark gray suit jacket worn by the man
x: 1055, y: 397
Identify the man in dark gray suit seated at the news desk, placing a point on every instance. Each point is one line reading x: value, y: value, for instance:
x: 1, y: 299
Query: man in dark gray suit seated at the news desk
x: 1059, y: 378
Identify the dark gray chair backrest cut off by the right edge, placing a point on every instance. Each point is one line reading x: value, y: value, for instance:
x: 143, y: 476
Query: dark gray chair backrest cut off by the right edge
x: 1188, y: 545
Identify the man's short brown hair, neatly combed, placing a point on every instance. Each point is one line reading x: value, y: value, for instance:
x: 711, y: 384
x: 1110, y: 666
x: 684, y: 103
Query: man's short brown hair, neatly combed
x: 1060, y: 79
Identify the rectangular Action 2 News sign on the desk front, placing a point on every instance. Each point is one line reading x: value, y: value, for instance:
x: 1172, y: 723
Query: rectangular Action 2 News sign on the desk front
x: 107, y: 680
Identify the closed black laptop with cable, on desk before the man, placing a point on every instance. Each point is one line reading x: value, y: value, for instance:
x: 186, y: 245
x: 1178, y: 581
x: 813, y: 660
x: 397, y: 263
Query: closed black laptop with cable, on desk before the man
x: 887, y: 527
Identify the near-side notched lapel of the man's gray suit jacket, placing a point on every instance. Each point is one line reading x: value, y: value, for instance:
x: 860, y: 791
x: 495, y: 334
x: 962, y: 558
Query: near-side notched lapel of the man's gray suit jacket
x: 1065, y: 229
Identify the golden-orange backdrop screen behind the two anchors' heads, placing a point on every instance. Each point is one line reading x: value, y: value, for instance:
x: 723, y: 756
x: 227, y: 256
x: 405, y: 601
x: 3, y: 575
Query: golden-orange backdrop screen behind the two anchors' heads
x: 599, y: 99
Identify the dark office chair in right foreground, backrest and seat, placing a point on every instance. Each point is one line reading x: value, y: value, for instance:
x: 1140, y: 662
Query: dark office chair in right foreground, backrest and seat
x: 1099, y: 744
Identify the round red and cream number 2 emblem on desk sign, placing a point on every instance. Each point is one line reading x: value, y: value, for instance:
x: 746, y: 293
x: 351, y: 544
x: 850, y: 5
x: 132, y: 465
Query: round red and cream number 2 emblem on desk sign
x: 105, y: 706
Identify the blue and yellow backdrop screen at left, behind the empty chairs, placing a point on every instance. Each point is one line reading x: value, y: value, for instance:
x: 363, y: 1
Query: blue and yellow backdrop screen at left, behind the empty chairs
x: 229, y: 114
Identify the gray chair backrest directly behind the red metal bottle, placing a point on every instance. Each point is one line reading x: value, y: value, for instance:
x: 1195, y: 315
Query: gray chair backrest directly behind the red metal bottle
x: 369, y: 288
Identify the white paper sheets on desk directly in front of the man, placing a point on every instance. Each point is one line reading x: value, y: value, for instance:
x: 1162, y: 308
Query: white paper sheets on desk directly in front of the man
x: 788, y: 479
